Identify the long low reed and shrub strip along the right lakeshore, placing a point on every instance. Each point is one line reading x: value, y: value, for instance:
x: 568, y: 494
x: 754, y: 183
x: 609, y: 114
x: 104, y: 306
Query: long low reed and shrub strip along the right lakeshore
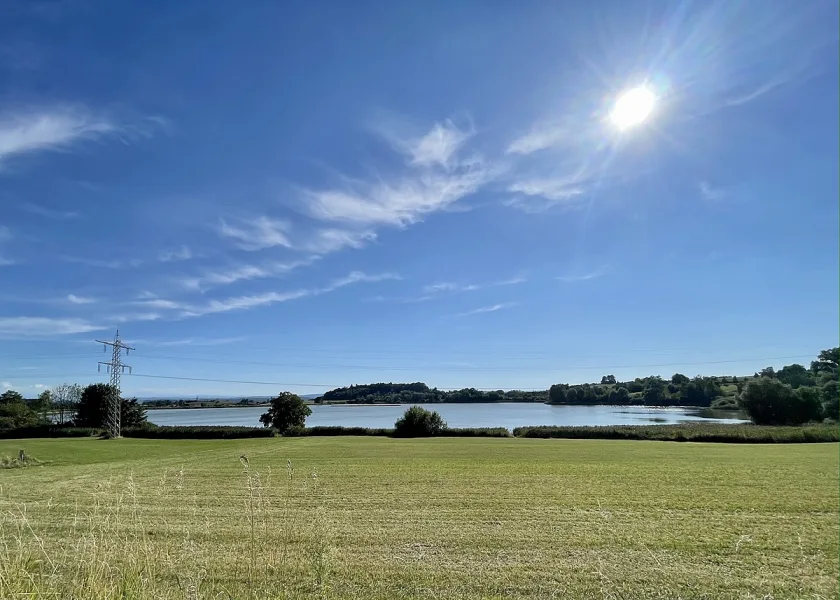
x: 704, y: 432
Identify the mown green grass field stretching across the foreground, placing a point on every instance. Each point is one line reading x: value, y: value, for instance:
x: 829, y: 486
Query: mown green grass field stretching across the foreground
x: 428, y: 518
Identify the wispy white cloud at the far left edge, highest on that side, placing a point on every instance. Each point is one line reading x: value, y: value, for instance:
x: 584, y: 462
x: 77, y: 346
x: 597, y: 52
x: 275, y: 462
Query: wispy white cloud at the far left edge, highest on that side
x: 48, y: 129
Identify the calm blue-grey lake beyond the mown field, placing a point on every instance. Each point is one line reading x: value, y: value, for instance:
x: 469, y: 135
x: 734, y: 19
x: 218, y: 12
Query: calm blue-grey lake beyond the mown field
x: 501, y: 414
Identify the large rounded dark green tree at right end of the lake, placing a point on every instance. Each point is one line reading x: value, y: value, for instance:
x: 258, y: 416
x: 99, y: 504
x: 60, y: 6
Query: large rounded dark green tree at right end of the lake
x: 770, y: 402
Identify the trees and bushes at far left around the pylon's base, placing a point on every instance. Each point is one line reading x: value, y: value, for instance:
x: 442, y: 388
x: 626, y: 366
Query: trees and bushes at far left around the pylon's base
x: 68, y: 404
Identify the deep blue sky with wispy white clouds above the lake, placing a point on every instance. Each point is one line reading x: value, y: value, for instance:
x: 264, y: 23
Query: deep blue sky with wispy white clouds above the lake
x: 338, y: 193
